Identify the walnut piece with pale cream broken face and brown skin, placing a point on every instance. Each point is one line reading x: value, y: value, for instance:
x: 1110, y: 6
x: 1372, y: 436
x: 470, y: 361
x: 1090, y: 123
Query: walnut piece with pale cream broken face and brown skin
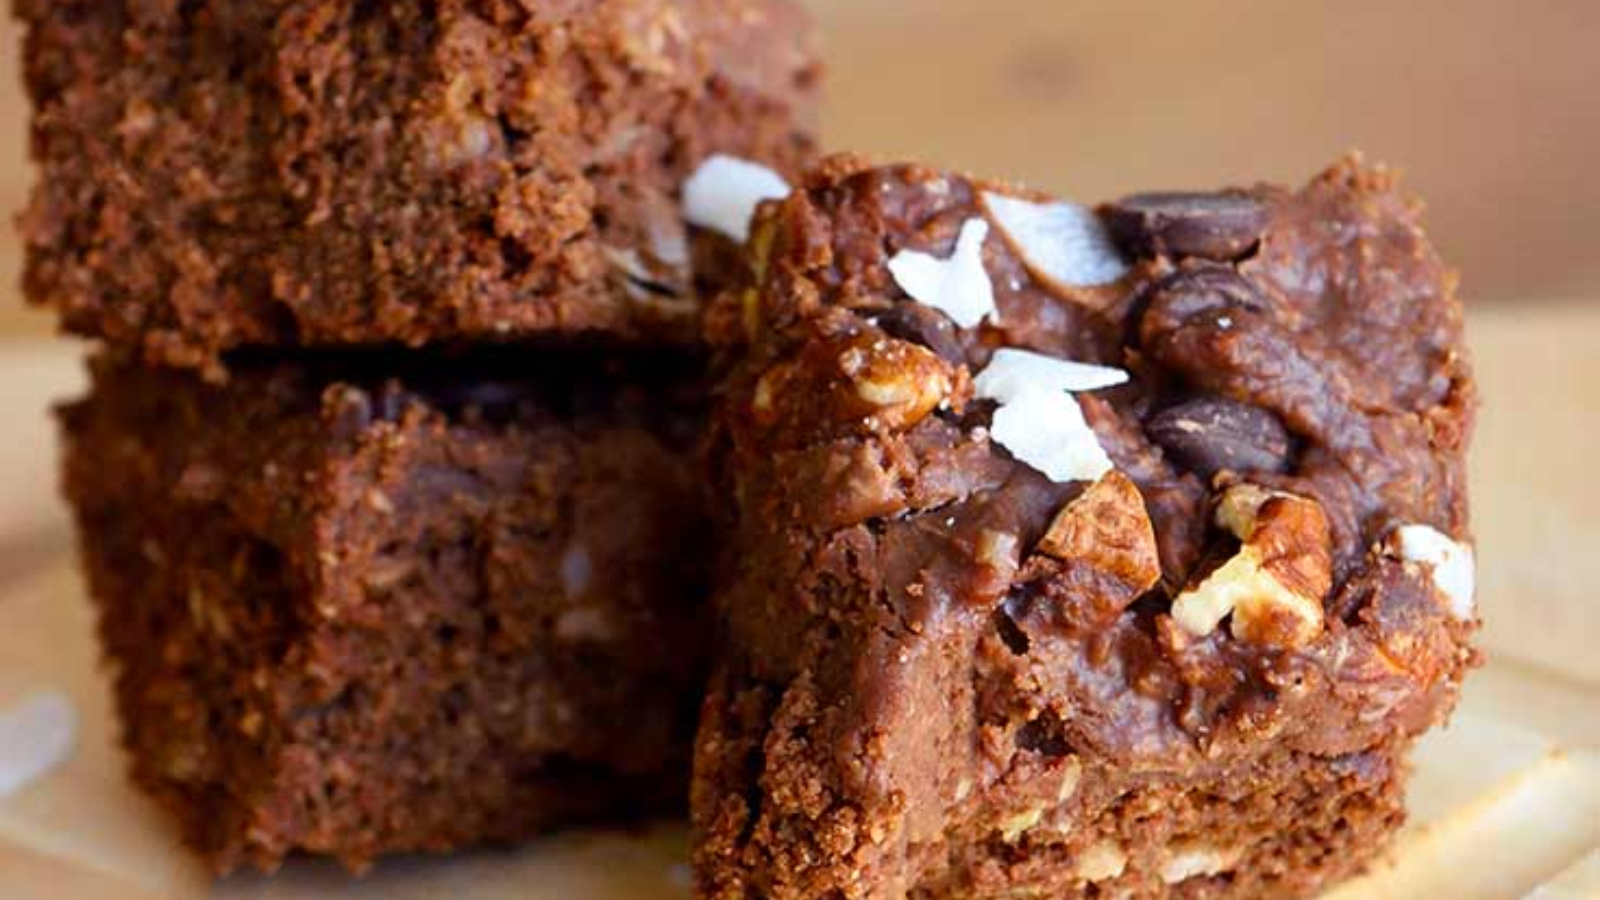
x: 1276, y: 584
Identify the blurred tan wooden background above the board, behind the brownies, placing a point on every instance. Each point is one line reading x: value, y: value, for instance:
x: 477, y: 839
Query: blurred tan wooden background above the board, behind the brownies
x: 1490, y: 105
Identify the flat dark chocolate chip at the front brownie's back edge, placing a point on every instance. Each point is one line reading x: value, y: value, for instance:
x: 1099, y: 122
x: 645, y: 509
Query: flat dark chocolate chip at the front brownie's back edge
x: 1212, y: 227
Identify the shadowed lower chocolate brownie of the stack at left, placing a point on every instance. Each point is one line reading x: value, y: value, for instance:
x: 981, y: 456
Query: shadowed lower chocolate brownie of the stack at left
x: 358, y: 609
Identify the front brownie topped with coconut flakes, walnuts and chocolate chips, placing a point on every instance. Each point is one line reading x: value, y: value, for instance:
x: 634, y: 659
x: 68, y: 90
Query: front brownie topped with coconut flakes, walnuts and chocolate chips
x: 1081, y: 553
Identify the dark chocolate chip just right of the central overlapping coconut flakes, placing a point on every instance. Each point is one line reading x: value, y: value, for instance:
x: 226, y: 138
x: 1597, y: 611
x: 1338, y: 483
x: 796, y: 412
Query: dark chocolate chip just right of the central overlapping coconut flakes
x: 1212, y: 435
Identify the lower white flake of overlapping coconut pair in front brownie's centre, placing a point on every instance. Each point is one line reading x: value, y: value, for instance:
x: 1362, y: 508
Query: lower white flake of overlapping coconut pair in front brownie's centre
x: 1047, y: 432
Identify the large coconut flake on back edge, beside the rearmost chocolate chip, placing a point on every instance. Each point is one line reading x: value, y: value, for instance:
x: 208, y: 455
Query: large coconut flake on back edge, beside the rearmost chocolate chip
x: 1060, y: 243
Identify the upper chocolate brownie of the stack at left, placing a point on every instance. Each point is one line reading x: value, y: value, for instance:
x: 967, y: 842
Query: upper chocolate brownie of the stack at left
x: 337, y: 172
